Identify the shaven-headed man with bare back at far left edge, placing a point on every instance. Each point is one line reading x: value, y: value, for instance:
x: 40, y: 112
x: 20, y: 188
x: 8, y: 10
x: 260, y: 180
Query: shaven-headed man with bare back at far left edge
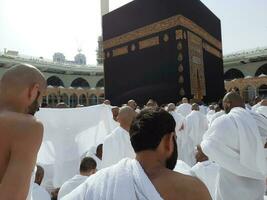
x: 21, y: 91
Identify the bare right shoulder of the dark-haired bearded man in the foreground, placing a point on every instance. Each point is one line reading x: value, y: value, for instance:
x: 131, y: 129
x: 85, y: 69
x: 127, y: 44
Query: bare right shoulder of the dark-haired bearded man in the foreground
x: 187, y: 187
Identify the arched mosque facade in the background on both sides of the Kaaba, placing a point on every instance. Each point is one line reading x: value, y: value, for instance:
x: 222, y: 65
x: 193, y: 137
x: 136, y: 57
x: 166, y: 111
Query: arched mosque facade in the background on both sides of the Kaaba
x: 76, y: 83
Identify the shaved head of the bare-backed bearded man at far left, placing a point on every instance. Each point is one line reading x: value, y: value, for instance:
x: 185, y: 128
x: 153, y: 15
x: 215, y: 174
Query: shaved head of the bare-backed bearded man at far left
x: 21, y: 88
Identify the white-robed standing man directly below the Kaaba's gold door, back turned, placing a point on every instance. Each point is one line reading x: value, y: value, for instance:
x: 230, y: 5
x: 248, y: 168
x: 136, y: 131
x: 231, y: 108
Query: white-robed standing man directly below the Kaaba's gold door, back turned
x: 196, y: 125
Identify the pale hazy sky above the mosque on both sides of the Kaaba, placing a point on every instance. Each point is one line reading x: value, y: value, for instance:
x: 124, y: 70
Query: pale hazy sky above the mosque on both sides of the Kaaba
x: 43, y: 27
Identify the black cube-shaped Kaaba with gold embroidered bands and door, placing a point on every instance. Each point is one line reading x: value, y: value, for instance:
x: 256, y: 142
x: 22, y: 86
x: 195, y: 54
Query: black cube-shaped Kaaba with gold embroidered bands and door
x: 164, y: 50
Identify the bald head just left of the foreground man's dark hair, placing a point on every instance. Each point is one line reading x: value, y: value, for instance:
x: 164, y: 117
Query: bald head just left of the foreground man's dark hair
x: 126, y: 116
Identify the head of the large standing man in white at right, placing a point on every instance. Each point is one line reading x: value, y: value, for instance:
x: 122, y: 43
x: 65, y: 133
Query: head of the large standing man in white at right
x: 232, y: 100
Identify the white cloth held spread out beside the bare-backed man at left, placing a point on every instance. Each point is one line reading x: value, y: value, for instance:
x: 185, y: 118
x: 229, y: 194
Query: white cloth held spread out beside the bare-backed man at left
x: 68, y: 134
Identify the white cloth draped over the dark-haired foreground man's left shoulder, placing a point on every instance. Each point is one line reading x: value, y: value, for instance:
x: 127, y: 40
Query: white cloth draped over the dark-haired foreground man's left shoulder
x: 125, y: 180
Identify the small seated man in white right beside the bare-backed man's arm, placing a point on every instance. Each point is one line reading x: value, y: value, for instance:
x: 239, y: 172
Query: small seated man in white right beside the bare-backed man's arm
x: 38, y: 192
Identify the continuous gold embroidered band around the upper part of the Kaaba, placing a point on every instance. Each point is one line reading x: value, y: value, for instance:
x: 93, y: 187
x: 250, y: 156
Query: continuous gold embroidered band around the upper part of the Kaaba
x: 160, y: 26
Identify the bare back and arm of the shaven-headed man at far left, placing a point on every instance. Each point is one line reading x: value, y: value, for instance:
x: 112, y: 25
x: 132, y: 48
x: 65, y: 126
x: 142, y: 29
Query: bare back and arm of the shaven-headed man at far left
x: 20, y: 139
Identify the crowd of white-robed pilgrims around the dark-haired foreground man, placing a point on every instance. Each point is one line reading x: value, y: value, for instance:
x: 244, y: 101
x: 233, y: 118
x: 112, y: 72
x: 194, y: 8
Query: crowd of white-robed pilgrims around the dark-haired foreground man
x: 221, y: 144
